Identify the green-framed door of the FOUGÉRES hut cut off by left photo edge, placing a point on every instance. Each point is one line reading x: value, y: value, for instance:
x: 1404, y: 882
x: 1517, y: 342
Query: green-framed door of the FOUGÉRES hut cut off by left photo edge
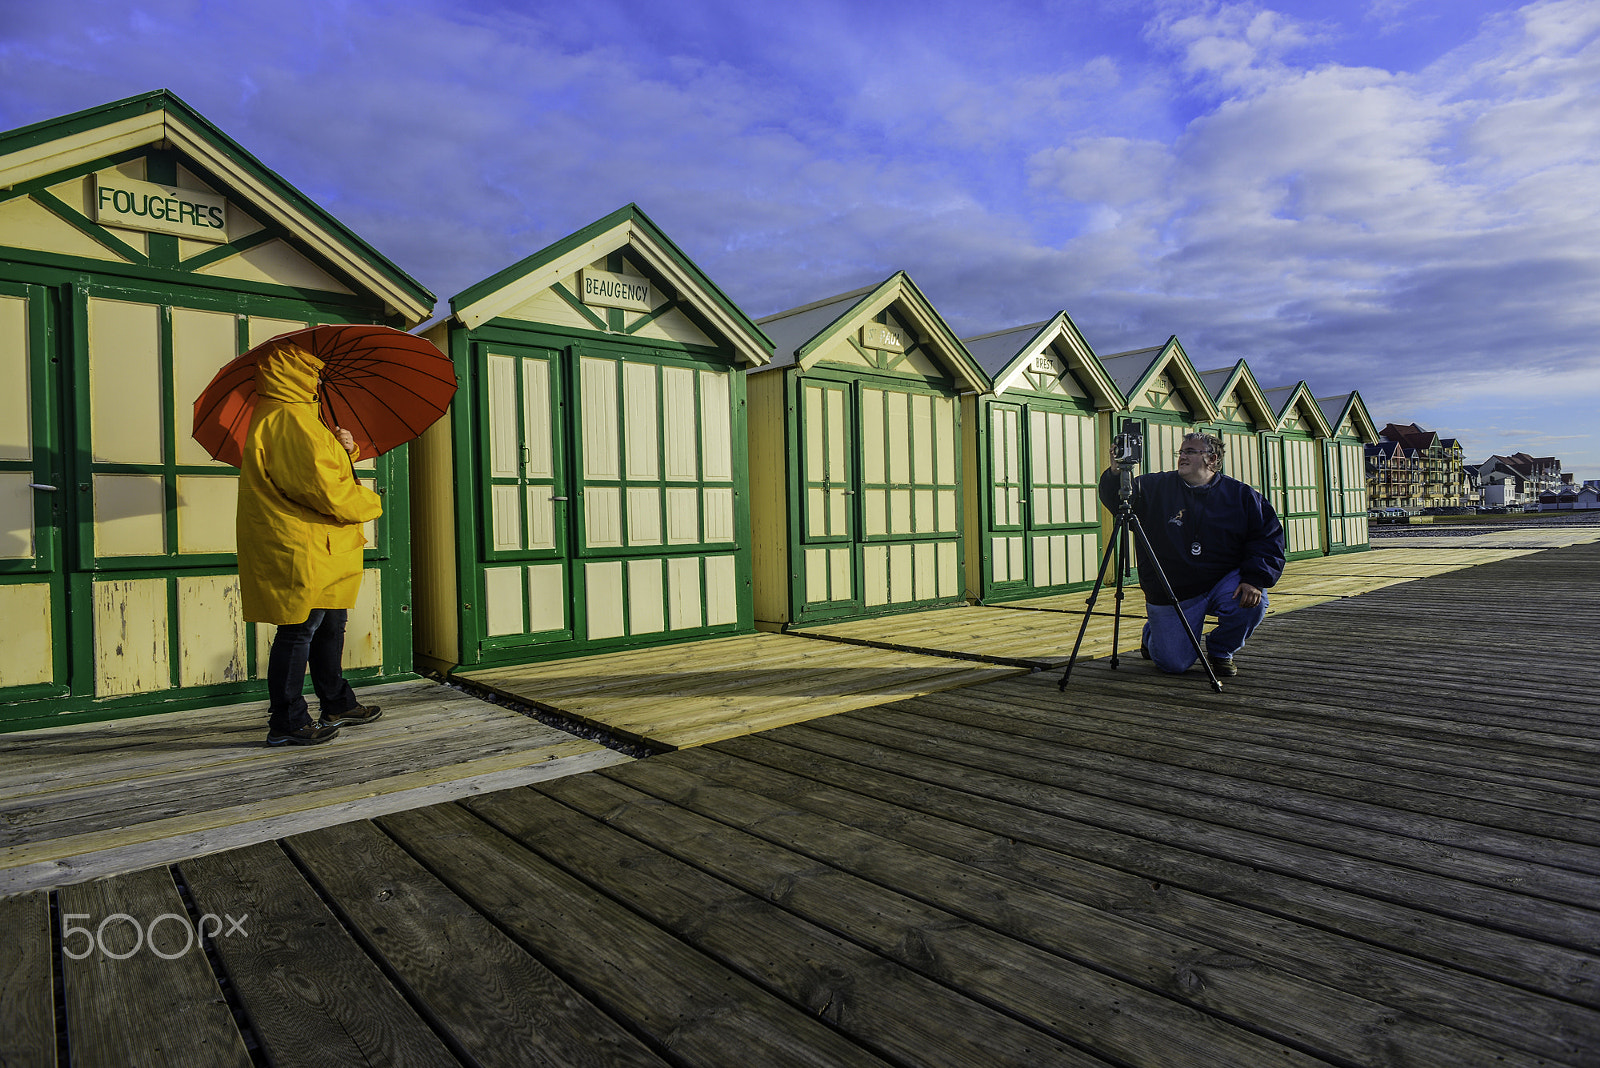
x: 34, y: 498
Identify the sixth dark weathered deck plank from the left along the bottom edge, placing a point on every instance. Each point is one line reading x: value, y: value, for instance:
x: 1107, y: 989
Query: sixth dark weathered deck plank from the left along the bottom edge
x: 887, y: 1008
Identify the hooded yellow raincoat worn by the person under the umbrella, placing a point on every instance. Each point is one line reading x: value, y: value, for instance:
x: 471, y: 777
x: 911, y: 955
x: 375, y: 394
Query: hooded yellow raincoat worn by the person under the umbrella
x: 300, y: 508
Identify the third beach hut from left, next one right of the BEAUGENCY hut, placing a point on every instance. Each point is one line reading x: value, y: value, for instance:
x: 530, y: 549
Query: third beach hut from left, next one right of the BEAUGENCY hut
x: 857, y: 458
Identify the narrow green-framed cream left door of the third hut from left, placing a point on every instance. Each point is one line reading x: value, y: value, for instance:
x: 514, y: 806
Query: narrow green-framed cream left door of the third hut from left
x: 830, y: 495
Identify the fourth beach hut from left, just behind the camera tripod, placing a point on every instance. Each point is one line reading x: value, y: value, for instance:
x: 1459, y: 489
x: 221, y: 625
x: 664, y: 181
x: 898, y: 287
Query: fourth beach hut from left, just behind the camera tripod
x: 1038, y: 447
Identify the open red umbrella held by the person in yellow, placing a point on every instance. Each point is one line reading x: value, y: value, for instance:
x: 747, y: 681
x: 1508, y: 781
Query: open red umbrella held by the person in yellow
x: 382, y: 385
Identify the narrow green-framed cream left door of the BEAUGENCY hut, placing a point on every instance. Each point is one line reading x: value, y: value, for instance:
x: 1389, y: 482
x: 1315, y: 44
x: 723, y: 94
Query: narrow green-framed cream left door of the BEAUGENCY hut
x: 524, y: 584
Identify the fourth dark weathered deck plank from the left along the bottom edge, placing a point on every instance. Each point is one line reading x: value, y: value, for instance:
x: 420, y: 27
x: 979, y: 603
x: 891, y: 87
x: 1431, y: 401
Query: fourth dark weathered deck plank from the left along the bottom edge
x: 497, y: 1003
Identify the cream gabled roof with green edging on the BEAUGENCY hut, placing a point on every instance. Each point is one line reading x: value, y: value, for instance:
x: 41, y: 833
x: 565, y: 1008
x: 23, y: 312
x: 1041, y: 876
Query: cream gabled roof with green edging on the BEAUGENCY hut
x: 626, y: 228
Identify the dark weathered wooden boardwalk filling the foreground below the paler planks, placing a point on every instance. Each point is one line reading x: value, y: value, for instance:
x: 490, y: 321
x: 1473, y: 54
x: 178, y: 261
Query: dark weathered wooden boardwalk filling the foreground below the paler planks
x: 1378, y: 847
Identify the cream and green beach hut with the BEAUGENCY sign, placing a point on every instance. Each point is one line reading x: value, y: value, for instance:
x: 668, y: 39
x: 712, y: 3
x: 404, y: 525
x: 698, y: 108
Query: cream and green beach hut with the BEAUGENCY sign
x: 588, y: 492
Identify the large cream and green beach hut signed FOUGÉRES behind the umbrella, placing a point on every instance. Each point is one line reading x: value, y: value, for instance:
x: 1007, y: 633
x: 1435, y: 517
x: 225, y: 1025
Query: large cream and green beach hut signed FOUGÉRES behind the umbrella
x: 142, y: 250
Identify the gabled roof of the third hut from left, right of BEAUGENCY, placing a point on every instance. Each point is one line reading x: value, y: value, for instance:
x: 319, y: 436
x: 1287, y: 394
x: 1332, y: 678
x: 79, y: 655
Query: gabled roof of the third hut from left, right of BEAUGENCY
x: 806, y: 330
